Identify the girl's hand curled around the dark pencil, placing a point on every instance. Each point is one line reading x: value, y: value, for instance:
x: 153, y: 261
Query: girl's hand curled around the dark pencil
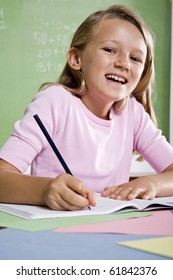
x: 66, y: 192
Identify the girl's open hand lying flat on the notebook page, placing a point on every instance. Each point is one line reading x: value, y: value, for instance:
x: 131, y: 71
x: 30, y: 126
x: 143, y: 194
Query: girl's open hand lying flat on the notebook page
x: 142, y: 187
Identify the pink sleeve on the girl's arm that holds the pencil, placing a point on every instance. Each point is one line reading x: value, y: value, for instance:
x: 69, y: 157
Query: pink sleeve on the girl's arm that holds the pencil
x: 27, y: 139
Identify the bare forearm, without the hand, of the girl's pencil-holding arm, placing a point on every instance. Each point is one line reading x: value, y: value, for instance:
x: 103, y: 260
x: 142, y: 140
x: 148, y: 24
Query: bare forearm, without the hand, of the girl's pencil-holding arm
x: 19, y: 188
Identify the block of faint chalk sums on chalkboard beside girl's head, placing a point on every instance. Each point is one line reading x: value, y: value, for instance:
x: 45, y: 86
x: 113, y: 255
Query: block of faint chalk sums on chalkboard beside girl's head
x: 51, y: 46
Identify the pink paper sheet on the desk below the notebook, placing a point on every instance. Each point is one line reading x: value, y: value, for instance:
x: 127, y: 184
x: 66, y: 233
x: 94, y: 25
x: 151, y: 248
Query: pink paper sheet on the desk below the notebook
x: 159, y: 223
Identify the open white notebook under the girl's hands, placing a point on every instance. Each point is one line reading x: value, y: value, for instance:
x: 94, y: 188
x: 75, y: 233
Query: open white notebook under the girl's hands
x: 104, y: 206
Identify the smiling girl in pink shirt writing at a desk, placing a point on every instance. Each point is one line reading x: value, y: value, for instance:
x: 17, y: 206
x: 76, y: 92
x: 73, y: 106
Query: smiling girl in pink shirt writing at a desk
x: 97, y: 113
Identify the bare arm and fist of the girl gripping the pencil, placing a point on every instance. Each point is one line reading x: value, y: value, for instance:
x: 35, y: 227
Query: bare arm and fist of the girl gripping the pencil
x: 62, y: 192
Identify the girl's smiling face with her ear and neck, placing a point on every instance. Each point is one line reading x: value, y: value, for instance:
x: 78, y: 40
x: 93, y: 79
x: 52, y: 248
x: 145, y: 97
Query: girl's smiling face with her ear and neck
x: 112, y: 64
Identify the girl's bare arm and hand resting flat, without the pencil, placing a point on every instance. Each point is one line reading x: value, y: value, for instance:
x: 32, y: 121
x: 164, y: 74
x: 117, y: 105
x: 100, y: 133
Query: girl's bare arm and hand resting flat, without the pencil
x: 146, y: 187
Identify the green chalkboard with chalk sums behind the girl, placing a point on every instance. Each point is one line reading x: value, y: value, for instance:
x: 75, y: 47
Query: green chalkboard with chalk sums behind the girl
x: 35, y: 36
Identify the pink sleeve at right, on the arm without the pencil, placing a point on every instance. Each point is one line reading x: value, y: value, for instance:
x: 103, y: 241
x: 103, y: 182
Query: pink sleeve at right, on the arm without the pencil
x: 149, y: 141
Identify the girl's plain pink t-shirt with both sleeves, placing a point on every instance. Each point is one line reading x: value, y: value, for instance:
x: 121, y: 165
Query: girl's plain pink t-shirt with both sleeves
x: 97, y: 151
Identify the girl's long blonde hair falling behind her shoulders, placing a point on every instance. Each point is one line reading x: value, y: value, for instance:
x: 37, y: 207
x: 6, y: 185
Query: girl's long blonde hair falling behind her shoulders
x: 73, y: 80
